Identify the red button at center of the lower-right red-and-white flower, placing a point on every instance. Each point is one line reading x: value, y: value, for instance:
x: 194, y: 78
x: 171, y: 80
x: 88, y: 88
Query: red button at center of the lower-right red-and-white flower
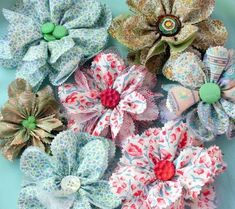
x: 164, y: 170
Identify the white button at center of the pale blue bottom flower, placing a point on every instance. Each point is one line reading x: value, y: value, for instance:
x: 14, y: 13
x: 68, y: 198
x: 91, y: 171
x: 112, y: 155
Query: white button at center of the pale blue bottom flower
x: 70, y: 184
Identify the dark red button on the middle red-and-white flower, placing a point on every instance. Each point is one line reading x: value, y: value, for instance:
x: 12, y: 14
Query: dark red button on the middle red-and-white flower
x: 110, y: 98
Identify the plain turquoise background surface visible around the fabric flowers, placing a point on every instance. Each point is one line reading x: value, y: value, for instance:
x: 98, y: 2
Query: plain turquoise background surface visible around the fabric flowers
x: 10, y: 176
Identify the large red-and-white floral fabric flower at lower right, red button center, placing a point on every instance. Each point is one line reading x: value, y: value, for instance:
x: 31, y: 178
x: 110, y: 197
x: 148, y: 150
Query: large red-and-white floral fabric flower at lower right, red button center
x: 165, y: 170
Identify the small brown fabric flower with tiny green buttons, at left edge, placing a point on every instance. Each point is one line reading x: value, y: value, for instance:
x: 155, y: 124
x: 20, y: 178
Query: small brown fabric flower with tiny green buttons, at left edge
x: 28, y: 119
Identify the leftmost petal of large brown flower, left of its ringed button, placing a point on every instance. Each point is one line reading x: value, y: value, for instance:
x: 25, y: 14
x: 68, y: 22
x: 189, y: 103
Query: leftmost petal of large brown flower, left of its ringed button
x: 134, y: 32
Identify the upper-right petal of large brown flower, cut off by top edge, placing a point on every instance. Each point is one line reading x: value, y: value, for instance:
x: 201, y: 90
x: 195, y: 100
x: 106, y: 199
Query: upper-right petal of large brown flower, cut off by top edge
x: 194, y: 11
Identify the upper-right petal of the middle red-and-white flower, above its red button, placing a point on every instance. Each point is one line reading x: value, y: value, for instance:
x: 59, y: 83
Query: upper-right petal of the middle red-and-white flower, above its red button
x: 130, y: 81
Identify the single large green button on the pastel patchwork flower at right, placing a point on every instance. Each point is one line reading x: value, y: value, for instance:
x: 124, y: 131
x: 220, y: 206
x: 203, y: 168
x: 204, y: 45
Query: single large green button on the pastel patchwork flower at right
x: 210, y: 93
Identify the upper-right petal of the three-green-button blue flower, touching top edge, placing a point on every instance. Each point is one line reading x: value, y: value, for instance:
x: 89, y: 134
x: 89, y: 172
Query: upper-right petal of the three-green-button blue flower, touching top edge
x: 82, y: 15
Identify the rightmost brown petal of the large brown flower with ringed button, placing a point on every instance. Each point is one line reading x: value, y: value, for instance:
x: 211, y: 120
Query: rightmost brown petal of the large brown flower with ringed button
x: 211, y: 33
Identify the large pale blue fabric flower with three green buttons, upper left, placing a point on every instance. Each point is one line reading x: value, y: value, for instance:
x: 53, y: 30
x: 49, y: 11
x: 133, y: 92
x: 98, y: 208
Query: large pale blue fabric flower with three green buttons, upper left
x: 51, y: 37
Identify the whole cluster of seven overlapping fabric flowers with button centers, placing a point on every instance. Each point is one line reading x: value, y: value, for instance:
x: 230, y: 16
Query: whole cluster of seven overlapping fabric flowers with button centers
x: 99, y: 143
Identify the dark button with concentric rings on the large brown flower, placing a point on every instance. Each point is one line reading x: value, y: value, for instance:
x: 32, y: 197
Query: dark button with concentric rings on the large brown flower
x: 168, y: 25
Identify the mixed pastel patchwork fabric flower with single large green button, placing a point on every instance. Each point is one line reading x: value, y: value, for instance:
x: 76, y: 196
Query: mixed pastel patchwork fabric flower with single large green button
x: 207, y: 94
